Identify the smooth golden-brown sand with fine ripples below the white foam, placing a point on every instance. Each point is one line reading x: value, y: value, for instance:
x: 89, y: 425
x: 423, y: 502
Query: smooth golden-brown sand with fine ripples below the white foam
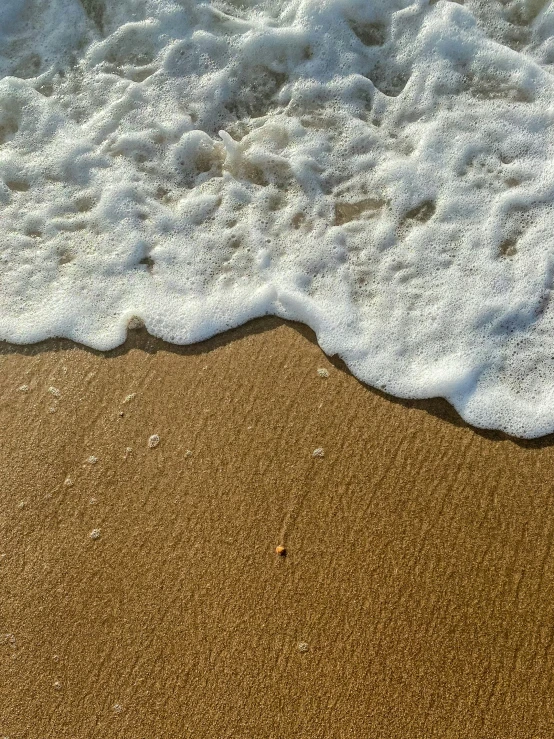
x: 142, y: 596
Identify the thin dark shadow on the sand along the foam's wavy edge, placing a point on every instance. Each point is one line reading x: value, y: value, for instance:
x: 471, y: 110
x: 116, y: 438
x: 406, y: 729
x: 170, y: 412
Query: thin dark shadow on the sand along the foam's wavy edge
x: 141, y: 340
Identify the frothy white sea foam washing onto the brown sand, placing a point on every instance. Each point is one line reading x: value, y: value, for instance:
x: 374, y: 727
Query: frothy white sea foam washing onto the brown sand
x: 381, y: 170
